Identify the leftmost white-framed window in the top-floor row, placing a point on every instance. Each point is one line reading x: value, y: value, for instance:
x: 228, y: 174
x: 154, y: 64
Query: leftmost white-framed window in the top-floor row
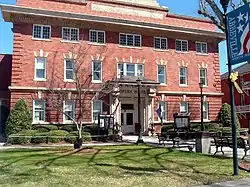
x: 41, y: 31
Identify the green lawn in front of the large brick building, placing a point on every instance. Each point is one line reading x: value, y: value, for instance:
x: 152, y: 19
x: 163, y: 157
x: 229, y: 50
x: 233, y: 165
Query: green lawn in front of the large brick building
x: 111, y: 166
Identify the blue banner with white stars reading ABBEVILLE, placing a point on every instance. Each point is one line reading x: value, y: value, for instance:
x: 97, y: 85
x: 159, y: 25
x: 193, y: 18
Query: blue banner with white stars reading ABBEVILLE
x: 238, y: 32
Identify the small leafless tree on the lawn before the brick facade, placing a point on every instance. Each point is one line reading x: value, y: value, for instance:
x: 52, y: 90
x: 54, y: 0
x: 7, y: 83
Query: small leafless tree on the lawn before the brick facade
x: 80, y: 90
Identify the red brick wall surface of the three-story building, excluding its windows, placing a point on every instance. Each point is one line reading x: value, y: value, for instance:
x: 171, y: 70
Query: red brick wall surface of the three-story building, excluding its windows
x: 111, y: 53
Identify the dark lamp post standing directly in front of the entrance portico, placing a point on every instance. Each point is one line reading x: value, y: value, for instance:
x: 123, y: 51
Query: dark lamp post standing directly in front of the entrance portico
x: 139, y: 140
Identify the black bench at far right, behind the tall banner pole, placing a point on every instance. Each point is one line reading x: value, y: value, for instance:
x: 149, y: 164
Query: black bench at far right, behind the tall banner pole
x: 226, y: 141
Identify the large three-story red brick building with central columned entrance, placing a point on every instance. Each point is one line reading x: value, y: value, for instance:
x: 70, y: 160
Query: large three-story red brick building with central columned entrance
x: 120, y: 38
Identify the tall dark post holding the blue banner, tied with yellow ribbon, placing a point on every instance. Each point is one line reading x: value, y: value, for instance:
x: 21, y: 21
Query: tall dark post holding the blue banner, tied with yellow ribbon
x: 224, y: 4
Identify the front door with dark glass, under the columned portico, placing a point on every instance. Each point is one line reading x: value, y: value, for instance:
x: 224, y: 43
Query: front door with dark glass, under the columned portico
x: 127, y: 118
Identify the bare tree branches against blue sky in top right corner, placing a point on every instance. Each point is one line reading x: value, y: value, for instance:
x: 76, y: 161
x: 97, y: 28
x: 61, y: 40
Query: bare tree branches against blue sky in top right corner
x: 213, y: 10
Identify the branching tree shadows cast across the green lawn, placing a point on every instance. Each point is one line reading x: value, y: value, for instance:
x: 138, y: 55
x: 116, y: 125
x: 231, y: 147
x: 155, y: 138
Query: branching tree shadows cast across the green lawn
x: 145, y: 160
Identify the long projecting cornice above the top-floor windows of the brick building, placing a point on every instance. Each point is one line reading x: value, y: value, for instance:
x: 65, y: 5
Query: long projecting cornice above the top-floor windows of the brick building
x: 102, y: 19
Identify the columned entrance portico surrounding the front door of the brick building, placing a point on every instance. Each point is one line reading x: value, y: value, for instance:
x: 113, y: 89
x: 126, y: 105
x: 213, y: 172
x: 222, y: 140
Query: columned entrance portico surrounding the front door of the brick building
x: 125, y: 104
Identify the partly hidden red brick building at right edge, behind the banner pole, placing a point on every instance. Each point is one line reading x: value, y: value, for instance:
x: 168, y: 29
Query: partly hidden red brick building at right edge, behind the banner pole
x: 242, y: 101
